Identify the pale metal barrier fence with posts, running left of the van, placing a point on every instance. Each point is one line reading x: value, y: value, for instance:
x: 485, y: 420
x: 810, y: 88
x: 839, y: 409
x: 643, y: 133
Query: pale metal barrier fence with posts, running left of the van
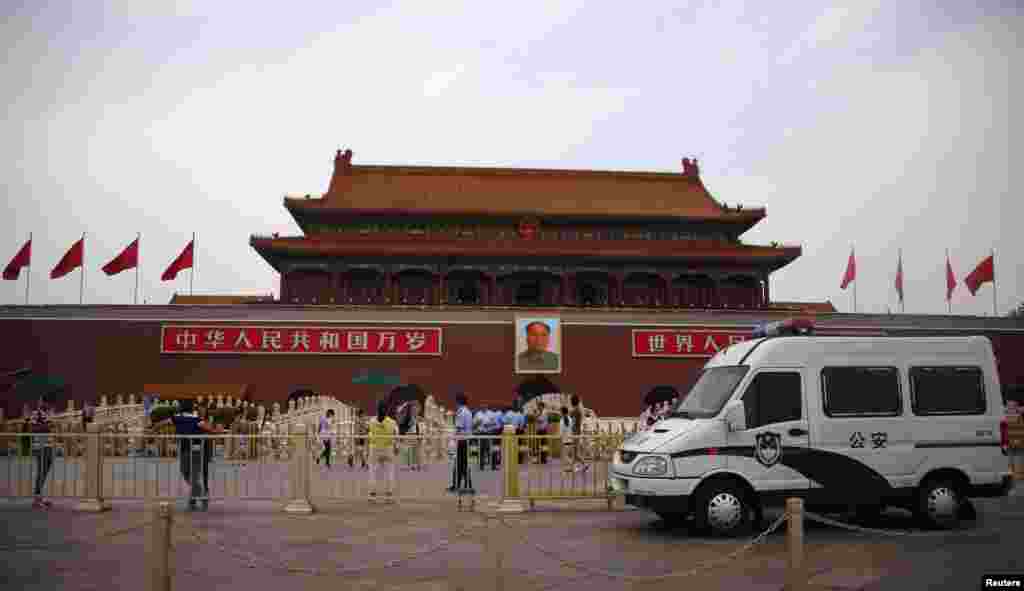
x: 100, y: 467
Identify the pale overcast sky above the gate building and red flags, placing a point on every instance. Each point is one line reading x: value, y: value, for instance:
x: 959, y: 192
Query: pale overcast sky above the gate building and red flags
x: 884, y: 125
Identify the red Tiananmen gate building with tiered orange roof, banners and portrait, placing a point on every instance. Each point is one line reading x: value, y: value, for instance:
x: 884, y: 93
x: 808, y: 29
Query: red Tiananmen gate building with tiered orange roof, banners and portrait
x: 493, y: 281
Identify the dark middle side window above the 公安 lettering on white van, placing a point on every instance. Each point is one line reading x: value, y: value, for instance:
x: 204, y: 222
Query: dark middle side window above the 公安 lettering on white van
x: 862, y: 392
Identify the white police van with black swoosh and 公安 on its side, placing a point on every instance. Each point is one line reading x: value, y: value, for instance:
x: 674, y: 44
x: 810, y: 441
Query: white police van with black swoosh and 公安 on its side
x: 844, y: 424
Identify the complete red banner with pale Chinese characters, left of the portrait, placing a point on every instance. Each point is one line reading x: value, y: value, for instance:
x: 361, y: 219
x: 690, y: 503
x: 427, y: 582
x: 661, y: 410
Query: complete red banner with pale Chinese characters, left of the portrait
x: 301, y: 341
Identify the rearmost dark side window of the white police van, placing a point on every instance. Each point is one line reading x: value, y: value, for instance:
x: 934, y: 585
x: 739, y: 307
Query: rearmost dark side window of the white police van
x: 948, y: 392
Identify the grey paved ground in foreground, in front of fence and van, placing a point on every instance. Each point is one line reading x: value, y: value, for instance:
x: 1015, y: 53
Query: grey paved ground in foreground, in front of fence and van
x: 431, y: 546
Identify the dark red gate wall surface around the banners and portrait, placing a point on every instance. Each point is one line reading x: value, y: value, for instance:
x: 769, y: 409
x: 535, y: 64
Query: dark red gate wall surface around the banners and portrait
x: 109, y: 358
